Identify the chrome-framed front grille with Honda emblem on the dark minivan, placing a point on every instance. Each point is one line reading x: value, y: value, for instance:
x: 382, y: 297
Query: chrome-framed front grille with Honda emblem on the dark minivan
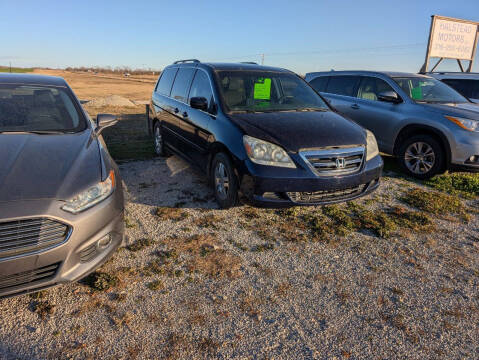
x: 331, y: 162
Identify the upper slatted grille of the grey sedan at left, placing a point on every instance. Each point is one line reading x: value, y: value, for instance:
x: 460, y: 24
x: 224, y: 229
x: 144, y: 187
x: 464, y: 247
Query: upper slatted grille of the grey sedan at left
x: 22, y: 237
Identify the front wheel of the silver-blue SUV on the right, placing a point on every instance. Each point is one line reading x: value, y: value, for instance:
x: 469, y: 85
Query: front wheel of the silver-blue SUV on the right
x: 421, y: 157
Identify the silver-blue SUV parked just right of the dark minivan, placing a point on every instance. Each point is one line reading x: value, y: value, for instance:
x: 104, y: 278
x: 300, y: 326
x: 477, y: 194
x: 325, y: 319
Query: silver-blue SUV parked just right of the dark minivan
x: 428, y: 125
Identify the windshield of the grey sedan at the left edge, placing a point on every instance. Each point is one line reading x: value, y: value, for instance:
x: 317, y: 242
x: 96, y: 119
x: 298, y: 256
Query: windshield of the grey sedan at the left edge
x: 39, y: 109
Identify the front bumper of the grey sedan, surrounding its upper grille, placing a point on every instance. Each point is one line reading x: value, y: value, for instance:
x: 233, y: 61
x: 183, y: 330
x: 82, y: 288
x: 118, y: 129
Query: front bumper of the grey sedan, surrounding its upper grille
x: 94, y: 236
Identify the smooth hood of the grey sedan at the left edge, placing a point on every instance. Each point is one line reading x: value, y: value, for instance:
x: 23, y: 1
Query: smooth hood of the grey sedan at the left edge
x: 47, y: 166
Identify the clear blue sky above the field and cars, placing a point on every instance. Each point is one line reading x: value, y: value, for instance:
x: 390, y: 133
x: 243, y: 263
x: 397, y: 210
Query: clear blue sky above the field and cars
x: 300, y: 35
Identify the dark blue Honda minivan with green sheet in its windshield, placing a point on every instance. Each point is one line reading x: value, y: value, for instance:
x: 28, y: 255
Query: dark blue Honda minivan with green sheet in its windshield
x: 262, y: 132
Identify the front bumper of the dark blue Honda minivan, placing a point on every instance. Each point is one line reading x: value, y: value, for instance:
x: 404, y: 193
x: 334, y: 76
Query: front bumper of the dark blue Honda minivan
x: 268, y: 187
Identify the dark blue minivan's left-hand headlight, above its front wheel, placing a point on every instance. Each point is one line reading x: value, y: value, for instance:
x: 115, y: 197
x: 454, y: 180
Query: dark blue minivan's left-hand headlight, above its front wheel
x: 265, y: 153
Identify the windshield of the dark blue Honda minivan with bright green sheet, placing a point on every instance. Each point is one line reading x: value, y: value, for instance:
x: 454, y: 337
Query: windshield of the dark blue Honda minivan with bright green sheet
x: 267, y: 91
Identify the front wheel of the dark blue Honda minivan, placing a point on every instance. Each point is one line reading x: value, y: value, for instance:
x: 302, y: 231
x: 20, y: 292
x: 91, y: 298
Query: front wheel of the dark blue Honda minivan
x: 224, y: 181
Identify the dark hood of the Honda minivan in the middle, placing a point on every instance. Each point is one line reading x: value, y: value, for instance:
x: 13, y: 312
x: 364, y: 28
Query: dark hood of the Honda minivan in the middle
x: 301, y: 130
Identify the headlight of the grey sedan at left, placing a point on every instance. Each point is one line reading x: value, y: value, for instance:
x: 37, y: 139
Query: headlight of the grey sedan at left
x: 92, y: 196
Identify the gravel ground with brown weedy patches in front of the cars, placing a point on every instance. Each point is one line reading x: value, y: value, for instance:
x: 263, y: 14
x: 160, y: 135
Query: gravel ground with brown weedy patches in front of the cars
x: 198, y: 282
